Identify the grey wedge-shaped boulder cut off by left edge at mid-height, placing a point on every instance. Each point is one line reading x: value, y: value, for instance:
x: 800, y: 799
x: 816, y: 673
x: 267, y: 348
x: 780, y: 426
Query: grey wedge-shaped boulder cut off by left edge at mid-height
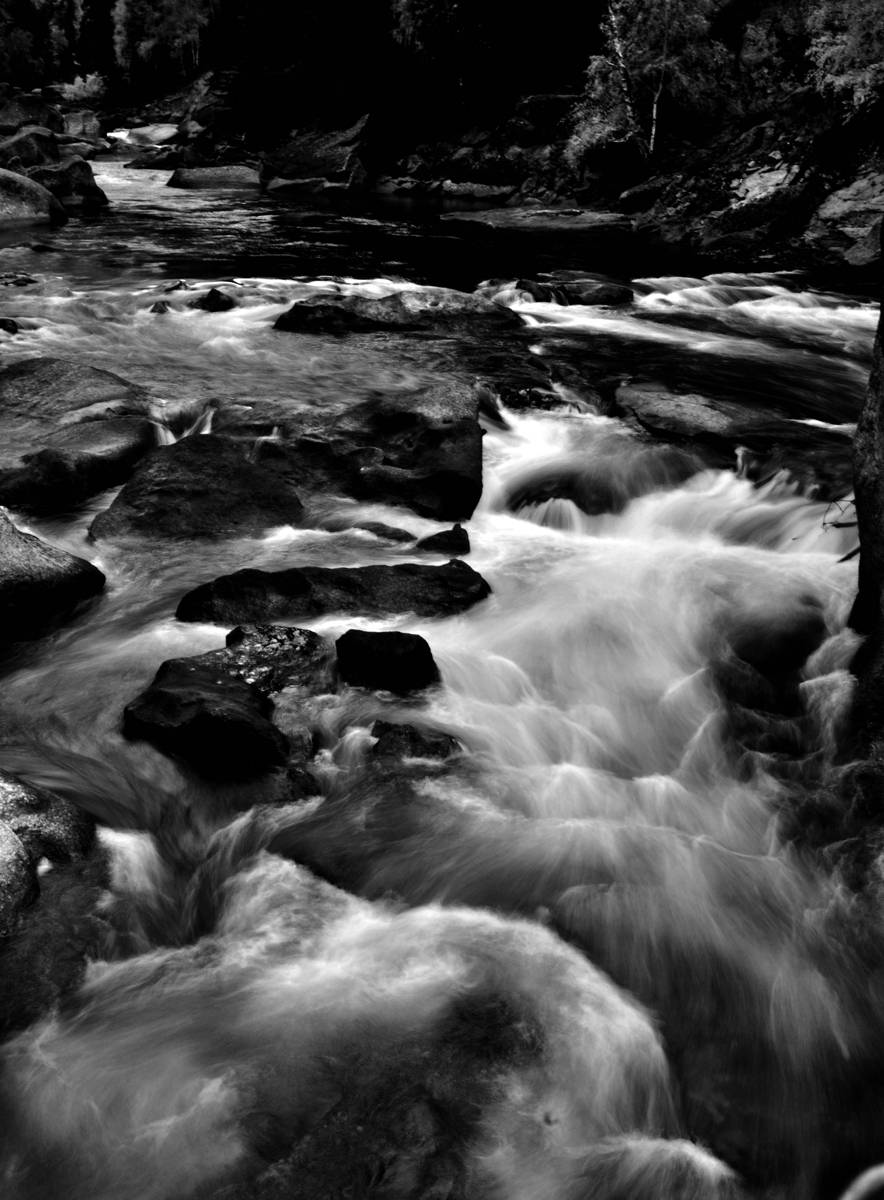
x: 39, y: 584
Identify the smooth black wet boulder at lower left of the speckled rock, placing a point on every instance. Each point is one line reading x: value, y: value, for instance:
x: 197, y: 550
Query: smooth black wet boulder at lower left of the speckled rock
x: 219, y: 724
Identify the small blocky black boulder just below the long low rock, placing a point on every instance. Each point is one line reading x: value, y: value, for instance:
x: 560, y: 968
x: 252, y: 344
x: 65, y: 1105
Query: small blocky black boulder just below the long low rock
x: 389, y: 662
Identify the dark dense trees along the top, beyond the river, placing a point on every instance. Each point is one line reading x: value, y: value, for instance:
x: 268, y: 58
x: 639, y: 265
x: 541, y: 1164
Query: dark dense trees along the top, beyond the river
x: 652, y: 71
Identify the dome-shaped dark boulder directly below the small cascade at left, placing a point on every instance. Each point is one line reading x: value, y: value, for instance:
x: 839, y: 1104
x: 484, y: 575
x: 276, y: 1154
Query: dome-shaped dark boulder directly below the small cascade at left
x: 205, y: 487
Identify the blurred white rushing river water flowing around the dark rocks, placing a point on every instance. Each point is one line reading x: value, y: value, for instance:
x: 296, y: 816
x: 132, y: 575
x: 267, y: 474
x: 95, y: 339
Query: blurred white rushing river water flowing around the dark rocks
x: 614, y: 818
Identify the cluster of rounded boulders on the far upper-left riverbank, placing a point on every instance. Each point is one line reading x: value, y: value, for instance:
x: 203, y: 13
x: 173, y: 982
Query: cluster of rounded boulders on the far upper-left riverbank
x: 45, y: 173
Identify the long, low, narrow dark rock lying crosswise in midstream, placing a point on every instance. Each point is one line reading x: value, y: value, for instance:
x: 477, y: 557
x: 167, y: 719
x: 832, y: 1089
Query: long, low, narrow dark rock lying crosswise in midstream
x: 254, y: 596
